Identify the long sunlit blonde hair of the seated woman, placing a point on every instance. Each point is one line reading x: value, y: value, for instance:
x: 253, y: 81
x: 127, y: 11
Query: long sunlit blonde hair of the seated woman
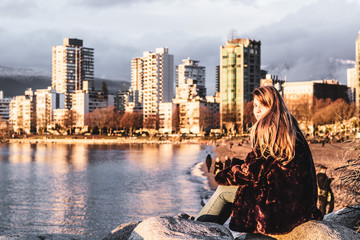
x: 274, y: 134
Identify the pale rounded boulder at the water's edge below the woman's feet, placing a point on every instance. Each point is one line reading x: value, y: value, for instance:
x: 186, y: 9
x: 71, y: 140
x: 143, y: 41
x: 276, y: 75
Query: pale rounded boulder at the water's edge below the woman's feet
x: 167, y: 228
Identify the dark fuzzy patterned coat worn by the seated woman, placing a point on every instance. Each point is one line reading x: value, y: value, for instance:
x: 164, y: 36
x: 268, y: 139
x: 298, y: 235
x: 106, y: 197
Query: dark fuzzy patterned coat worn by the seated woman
x: 273, y: 198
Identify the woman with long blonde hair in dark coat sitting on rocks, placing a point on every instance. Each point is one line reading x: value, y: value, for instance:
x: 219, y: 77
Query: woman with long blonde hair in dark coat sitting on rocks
x: 274, y: 190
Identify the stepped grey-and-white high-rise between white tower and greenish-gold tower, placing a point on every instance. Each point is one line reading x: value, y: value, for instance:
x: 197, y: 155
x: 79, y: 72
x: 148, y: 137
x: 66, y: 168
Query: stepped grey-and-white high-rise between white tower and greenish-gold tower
x: 190, y: 80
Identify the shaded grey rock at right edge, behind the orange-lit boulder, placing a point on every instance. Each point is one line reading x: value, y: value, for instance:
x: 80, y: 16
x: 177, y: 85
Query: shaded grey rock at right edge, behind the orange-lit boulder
x: 348, y: 217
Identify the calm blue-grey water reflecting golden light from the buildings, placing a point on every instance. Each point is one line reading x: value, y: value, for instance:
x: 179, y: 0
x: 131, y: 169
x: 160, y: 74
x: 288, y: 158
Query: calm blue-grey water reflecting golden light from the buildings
x: 57, y: 190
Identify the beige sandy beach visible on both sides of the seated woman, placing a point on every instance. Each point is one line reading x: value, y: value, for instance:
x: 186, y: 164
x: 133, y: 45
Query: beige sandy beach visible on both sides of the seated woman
x: 331, y: 155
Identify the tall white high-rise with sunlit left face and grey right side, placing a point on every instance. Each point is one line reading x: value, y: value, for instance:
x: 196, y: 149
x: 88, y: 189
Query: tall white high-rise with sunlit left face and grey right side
x: 158, y: 80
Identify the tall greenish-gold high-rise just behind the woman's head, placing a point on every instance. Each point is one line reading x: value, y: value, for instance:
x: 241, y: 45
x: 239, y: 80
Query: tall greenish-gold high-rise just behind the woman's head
x: 240, y: 74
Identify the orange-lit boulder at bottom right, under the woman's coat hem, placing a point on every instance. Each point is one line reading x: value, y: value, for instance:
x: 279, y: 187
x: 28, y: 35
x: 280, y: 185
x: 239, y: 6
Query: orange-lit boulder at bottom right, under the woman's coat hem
x: 319, y: 230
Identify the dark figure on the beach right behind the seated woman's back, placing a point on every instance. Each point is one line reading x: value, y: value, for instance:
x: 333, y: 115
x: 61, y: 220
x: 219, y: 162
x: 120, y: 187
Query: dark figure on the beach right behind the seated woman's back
x: 325, y: 194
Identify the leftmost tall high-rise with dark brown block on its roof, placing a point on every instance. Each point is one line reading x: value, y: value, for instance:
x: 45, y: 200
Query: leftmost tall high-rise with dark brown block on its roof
x: 72, y: 68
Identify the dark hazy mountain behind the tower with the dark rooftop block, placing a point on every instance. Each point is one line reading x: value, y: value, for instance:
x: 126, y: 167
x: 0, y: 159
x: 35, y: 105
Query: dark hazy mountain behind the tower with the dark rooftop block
x: 14, y: 81
